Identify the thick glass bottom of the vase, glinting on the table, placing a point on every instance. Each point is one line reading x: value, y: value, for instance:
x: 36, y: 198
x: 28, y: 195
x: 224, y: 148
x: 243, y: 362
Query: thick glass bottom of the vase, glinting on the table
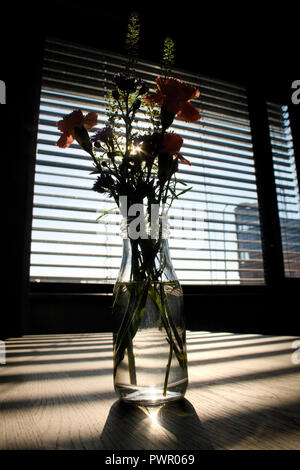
x: 147, y: 396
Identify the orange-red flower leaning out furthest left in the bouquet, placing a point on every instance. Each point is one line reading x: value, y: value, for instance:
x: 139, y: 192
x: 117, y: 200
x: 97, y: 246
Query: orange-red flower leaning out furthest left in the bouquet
x: 68, y: 124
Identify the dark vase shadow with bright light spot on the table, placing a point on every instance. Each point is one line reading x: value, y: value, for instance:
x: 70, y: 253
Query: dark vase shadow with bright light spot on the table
x: 173, y: 426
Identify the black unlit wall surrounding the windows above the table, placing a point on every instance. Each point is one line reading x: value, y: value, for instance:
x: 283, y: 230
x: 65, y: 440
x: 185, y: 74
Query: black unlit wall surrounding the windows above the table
x: 247, y: 45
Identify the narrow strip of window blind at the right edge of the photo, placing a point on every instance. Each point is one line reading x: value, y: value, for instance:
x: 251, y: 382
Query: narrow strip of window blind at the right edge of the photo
x: 287, y: 188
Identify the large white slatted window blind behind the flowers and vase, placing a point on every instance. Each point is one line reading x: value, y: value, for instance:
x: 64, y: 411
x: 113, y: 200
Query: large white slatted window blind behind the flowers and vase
x: 214, y: 228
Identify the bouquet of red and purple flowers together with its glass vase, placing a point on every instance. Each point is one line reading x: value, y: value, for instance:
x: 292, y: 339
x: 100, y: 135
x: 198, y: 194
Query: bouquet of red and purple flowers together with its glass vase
x: 138, y: 169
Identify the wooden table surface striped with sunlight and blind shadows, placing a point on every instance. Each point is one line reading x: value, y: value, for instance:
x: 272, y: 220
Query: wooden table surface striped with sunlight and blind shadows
x: 56, y: 392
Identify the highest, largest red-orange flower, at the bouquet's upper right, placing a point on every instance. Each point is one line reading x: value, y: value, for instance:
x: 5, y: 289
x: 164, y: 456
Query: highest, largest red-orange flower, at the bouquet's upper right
x: 175, y: 96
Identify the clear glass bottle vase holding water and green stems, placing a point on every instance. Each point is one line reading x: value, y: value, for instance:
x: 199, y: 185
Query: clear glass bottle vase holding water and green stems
x: 150, y: 360
